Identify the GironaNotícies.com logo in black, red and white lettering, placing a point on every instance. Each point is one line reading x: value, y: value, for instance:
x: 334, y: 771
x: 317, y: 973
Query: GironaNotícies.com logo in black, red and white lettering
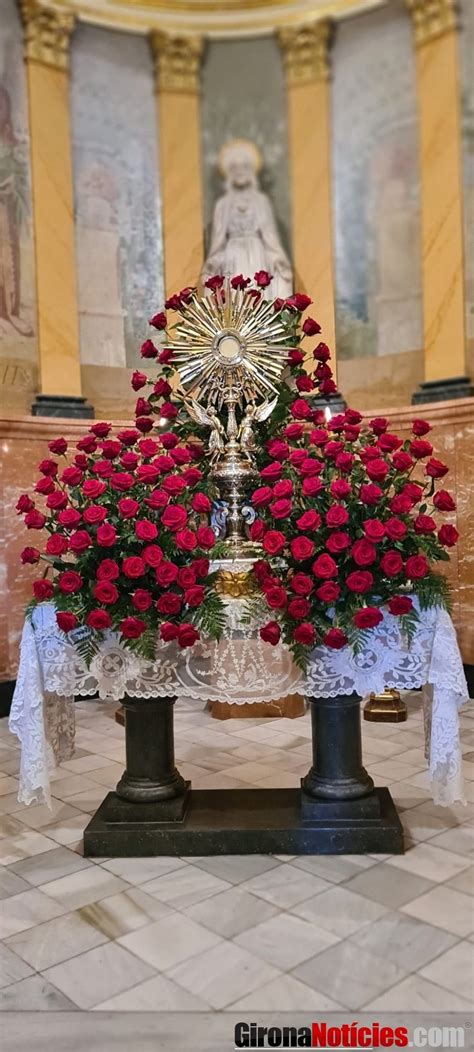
x: 355, y: 1037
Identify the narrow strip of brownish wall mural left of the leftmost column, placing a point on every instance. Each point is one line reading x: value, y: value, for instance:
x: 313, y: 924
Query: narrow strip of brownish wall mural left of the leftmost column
x: 18, y: 352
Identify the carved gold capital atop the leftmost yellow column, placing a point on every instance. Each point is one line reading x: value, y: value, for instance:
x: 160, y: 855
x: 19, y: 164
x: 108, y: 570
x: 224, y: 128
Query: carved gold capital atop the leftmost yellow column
x: 47, y: 33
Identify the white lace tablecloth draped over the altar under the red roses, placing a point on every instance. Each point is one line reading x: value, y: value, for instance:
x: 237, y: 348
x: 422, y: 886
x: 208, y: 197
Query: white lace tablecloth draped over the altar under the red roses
x: 239, y: 669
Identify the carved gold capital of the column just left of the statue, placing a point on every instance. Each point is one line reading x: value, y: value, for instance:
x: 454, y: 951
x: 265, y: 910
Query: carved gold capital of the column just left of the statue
x: 177, y: 62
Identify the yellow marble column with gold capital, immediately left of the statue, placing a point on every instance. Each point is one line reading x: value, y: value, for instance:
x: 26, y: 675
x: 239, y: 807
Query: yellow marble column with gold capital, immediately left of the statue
x: 177, y: 67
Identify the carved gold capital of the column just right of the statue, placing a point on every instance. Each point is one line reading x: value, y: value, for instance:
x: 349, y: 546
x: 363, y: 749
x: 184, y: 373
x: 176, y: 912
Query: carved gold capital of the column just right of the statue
x: 306, y: 52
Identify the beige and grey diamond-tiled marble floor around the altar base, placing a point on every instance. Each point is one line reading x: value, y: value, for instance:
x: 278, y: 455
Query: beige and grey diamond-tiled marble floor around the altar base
x: 235, y: 934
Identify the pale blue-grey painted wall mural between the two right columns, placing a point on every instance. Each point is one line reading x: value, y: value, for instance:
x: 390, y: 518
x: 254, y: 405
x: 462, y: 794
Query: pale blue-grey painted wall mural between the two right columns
x: 376, y: 187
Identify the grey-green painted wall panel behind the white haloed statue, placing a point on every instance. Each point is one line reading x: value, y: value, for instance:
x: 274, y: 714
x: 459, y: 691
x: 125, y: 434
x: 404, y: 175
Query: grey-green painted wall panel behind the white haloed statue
x: 246, y: 108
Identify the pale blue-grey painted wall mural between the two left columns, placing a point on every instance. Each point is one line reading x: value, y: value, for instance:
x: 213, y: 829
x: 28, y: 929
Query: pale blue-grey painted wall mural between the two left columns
x: 118, y: 222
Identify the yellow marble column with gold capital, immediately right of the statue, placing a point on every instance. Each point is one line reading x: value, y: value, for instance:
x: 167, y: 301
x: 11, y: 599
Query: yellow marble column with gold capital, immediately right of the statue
x: 306, y: 55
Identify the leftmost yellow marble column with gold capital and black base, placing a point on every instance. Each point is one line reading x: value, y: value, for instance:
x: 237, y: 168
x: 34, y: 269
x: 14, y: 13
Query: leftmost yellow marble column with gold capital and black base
x: 47, y: 44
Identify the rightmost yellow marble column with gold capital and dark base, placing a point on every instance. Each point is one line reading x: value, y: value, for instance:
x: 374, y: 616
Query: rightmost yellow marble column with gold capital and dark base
x: 438, y: 75
